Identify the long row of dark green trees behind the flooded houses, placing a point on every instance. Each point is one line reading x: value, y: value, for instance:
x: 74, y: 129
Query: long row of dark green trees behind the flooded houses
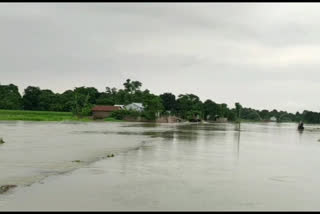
x: 79, y: 101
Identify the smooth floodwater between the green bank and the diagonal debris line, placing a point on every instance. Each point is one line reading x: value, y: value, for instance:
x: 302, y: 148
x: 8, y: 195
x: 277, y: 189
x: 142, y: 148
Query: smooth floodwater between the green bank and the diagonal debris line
x: 34, y: 150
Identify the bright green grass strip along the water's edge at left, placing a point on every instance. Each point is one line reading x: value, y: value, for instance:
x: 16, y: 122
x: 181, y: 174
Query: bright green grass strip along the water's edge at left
x: 37, y: 115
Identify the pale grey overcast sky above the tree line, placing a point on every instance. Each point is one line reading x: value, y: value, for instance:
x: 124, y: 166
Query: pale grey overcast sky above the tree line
x: 263, y: 55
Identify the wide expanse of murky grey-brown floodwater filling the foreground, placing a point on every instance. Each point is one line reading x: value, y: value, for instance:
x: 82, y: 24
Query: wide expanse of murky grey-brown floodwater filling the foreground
x: 159, y: 167
